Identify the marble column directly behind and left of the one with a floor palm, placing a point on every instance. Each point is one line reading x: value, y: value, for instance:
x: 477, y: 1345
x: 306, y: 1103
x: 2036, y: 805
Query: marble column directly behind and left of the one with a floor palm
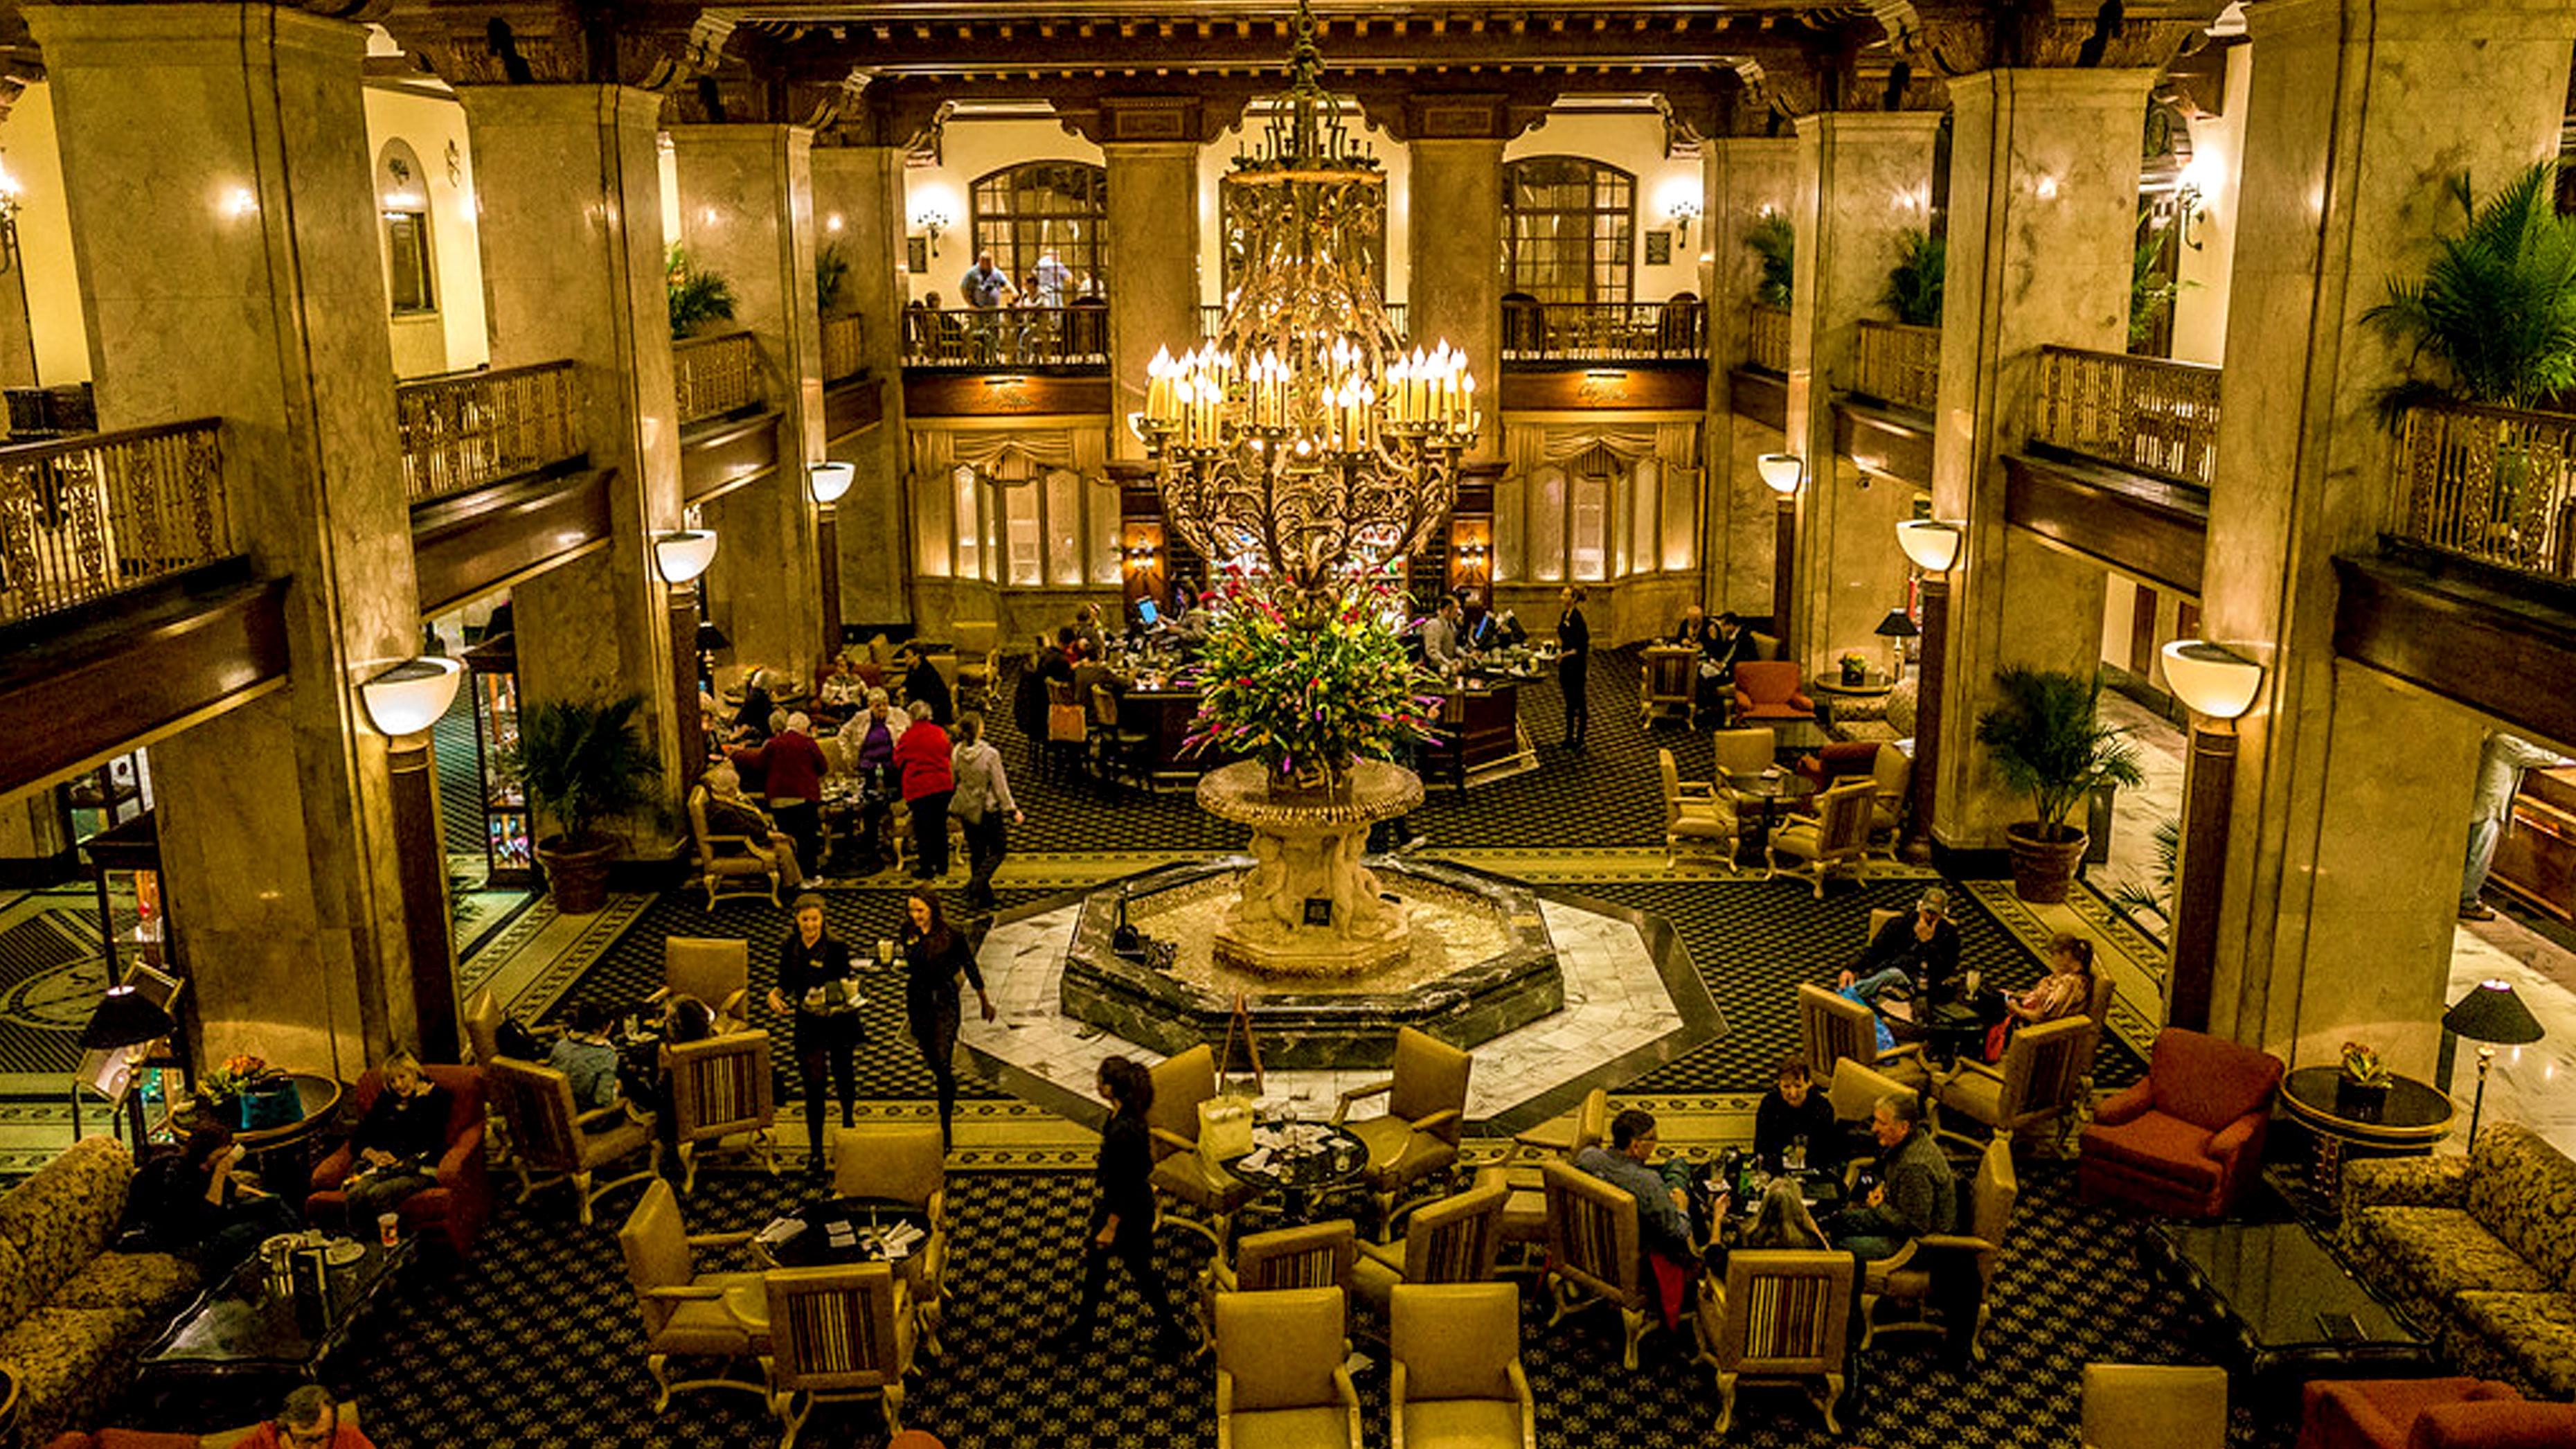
x: 1861, y: 182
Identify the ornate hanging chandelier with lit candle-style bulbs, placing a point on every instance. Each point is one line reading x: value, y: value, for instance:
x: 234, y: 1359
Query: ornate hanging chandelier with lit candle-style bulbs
x: 1305, y: 442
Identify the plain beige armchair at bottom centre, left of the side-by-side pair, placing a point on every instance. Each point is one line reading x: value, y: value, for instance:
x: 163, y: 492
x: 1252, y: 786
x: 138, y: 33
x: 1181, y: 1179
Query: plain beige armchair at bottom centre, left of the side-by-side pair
x: 1279, y: 1373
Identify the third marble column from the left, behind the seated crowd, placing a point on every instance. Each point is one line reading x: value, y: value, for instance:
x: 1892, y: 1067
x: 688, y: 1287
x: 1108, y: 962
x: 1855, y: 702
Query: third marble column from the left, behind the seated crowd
x: 748, y: 215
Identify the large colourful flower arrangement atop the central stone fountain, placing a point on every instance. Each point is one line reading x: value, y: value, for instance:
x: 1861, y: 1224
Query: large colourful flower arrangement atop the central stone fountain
x: 1307, y: 687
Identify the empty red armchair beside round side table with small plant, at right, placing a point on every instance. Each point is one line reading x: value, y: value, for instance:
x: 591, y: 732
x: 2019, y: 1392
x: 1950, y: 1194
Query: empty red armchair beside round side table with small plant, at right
x: 2188, y: 1138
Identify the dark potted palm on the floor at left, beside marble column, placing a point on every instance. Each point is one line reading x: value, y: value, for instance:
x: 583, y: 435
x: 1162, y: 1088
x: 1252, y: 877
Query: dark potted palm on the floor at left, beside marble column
x: 583, y: 764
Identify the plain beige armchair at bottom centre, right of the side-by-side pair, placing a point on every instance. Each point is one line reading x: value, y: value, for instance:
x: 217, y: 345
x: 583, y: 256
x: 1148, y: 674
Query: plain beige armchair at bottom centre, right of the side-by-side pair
x: 1457, y: 1378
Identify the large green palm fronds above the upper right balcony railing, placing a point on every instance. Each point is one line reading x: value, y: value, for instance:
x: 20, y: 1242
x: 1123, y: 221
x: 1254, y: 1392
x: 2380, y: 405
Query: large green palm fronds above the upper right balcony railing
x: 2495, y: 308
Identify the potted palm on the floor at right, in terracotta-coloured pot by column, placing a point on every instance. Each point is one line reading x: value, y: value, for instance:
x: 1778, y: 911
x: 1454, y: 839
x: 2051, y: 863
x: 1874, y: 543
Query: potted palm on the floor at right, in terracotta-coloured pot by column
x: 2047, y: 739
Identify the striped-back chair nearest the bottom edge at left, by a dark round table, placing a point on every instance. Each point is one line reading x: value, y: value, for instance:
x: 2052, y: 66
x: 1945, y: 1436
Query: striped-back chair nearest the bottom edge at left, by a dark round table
x: 836, y: 1334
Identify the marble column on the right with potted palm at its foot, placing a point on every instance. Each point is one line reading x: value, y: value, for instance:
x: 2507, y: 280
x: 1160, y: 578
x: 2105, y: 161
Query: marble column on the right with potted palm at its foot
x: 2044, y: 200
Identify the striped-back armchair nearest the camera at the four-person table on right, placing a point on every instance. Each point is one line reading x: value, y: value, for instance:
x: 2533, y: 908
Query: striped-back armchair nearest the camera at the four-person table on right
x: 1779, y: 1319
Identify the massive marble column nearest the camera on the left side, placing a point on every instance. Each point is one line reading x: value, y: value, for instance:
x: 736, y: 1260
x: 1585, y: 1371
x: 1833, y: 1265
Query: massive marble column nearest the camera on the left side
x: 254, y: 290
